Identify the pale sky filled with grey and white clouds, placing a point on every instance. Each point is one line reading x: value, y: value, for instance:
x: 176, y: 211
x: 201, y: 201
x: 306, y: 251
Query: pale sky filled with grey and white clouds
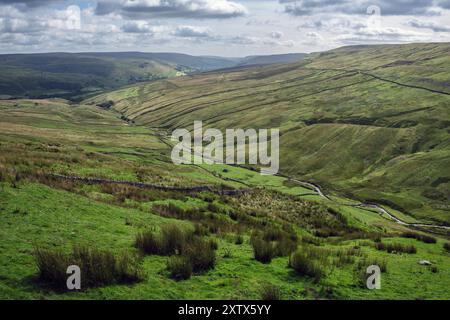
x: 217, y: 27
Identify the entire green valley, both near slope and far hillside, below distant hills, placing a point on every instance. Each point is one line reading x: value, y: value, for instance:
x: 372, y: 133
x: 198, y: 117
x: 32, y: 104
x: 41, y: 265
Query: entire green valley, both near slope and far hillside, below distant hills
x: 364, y: 180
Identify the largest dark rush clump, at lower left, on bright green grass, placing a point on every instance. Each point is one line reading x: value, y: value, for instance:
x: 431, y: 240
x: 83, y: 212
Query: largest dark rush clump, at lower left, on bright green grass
x: 98, y: 268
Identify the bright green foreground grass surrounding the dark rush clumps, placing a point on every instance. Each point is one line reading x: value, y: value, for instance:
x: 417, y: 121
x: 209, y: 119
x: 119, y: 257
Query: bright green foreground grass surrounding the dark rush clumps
x: 81, y: 221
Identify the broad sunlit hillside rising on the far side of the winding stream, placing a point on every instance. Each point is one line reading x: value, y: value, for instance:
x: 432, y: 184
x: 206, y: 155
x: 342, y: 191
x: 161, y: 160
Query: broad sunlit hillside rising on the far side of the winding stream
x: 369, y: 122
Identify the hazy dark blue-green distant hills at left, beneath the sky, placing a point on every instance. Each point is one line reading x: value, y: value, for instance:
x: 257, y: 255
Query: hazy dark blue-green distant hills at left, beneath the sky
x: 78, y: 75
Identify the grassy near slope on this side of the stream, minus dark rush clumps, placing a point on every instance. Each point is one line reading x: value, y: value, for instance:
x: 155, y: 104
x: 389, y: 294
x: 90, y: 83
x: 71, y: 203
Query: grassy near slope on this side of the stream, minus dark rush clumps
x: 43, y: 137
